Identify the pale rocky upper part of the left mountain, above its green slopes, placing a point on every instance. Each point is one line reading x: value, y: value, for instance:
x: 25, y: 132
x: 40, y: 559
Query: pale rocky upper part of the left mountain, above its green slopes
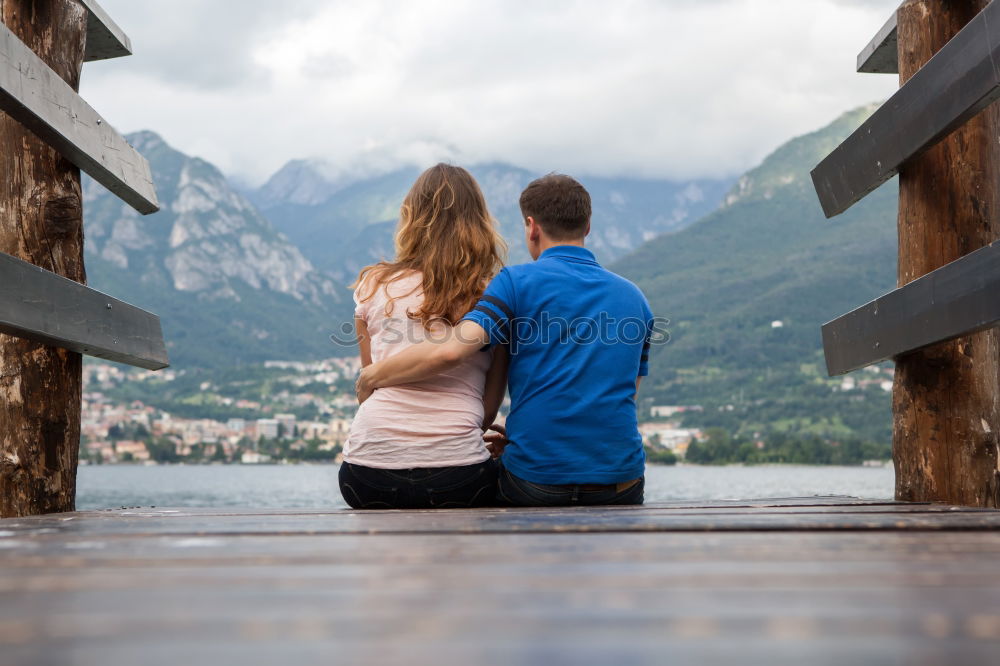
x: 206, y: 237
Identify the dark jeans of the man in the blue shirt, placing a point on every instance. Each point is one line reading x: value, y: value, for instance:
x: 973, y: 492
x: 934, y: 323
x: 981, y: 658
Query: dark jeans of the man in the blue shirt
x: 518, y: 492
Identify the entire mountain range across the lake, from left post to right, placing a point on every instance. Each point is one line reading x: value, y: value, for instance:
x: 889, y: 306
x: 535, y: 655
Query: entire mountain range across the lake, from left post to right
x: 746, y: 271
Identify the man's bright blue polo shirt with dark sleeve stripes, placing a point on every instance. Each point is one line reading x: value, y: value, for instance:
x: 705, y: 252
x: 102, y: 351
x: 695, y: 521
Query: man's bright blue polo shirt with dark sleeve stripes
x: 578, y: 336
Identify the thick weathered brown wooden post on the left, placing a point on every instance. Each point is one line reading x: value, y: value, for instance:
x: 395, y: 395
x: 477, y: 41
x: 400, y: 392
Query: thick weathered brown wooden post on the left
x: 41, y: 221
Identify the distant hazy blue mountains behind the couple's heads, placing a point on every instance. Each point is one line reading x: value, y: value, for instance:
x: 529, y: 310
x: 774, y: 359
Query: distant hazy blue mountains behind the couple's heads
x: 342, y: 226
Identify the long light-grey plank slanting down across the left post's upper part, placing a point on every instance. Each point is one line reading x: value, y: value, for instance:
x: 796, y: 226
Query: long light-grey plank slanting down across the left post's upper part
x: 35, y: 96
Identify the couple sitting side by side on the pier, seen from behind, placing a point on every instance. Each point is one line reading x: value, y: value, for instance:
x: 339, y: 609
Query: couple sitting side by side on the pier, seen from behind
x: 443, y: 331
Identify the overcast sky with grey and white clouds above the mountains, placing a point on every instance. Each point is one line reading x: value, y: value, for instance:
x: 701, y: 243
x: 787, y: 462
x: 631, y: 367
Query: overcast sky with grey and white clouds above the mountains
x: 668, y: 88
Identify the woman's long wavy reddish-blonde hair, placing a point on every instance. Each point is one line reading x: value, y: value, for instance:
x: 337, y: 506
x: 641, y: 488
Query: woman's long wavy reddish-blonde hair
x: 447, y: 234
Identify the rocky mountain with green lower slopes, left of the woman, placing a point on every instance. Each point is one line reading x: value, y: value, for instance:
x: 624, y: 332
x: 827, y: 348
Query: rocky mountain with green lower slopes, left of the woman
x: 227, y: 286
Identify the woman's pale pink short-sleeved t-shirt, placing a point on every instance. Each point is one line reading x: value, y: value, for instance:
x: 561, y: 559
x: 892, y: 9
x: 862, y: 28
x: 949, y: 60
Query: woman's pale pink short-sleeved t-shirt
x: 433, y: 423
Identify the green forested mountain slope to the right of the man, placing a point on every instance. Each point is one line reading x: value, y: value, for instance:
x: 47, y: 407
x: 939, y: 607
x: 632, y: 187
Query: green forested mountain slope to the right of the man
x: 748, y: 286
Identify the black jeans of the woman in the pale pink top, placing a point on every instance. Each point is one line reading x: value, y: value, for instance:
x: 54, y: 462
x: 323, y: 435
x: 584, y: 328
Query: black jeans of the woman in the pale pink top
x: 423, y: 488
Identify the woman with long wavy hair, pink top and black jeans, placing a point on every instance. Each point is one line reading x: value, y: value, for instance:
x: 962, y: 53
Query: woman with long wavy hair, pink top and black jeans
x: 421, y: 445
